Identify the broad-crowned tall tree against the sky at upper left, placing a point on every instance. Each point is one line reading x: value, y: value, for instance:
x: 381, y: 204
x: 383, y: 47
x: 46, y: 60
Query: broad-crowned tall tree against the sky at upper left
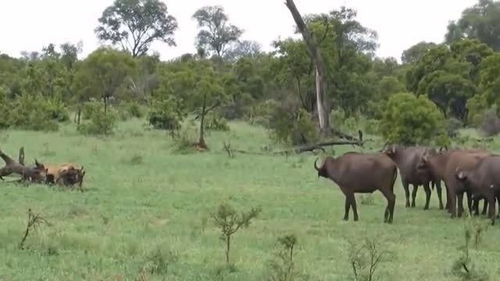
x: 135, y: 24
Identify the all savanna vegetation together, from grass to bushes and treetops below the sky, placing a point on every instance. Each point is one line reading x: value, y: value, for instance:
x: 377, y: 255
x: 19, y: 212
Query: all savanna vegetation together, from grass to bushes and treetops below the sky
x: 201, y: 167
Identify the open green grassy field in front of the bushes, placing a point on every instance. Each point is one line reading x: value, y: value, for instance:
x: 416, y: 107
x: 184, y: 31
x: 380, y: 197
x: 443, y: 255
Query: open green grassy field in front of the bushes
x: 145, y: 204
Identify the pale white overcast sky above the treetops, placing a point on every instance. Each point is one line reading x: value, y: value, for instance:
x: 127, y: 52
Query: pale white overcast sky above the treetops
x: 28, y: 25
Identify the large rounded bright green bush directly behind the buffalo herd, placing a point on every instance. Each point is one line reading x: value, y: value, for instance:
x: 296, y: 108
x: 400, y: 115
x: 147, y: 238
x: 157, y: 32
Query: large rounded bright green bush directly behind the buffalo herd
x: 411, y: 120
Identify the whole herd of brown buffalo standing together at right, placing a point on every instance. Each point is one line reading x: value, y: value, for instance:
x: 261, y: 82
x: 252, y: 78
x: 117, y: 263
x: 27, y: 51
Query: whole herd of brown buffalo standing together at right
x: 473, y: 172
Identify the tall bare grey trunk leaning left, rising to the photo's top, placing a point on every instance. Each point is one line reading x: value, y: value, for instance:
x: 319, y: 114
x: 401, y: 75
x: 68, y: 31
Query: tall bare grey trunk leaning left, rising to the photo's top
x: 317, y: 58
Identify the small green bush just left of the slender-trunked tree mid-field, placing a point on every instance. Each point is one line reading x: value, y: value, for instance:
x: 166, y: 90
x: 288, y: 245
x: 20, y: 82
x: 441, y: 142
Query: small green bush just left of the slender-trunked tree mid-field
x: 166, y: 114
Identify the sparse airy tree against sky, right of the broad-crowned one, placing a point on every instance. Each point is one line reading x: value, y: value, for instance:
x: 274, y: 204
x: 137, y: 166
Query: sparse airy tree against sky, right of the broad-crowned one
x: 216, y: 33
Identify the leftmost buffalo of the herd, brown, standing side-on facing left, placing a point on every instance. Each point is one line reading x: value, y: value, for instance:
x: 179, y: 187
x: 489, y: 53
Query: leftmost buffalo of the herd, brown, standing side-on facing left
x: 362, y: 173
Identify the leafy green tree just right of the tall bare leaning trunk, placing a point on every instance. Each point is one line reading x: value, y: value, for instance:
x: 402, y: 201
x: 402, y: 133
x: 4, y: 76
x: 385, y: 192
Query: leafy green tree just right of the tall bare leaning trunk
x: 349, y: 47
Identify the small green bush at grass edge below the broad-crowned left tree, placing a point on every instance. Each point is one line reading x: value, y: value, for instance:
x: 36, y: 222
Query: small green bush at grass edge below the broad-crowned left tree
x: 98, y: 122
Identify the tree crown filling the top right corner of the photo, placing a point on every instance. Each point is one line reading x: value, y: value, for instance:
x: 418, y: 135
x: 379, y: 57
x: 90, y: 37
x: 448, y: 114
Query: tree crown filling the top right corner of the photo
x: 481, y: 21
